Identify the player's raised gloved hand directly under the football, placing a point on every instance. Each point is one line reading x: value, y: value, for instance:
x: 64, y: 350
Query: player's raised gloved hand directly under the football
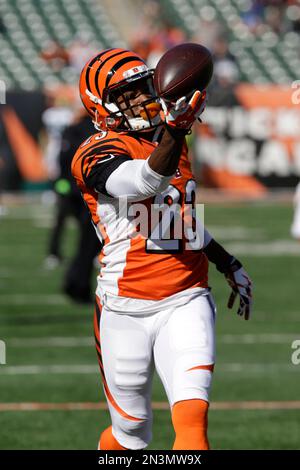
x: 183, y: 113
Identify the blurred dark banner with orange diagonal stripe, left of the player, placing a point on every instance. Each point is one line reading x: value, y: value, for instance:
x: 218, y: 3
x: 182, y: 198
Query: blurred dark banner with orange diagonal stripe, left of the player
x: 23, y: 138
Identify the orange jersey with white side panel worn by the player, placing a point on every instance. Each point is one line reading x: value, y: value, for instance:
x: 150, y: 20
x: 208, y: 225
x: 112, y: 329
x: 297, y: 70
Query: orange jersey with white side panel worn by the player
x: 136, y: 266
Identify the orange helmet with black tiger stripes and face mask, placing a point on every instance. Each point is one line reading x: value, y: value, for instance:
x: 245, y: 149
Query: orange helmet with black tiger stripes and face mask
x: 103, y: 81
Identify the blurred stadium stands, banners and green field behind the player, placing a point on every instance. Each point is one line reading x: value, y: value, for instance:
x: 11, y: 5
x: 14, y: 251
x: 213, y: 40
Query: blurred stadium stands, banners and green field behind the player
x: 246, y: 158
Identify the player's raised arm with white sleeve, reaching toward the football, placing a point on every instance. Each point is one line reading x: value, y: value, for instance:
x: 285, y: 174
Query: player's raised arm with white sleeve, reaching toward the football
x: 118, y: 175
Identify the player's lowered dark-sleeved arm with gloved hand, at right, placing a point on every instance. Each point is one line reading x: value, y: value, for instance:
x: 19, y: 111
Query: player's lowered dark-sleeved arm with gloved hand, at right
x: 234, y: 273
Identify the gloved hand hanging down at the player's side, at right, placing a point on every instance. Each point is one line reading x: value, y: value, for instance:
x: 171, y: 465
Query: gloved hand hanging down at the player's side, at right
x: 241, y: 286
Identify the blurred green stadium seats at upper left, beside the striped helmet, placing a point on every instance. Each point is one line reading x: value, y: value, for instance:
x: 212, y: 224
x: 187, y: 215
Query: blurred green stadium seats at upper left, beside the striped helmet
x: 32, y: 25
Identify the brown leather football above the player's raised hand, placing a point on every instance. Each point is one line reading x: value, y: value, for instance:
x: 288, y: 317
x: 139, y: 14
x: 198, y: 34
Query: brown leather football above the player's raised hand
x: 183, y: 69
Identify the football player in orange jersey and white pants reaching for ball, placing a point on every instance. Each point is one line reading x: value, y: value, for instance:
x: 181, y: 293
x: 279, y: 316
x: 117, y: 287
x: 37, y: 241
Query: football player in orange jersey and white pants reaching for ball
x: 153, y: 308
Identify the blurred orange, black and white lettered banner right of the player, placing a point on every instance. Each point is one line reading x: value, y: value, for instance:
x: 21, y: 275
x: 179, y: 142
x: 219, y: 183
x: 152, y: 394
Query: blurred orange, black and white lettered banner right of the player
x: 252, y: 143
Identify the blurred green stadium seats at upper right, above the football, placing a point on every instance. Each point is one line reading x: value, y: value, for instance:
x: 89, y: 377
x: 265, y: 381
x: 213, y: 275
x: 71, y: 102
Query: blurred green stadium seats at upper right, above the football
x: 267, y: 58
